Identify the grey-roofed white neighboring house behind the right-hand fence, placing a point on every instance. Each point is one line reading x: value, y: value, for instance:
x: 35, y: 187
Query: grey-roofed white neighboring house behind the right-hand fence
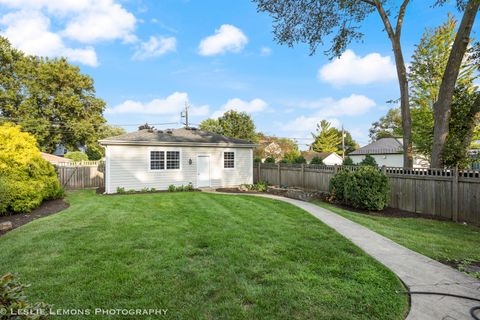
x: 387, y: 152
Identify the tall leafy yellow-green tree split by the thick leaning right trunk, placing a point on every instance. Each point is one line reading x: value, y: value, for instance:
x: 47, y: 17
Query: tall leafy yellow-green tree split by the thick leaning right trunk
x: 426, y: 71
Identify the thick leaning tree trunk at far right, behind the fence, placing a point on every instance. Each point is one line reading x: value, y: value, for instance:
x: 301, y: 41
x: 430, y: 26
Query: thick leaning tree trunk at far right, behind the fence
x: 443, y: 105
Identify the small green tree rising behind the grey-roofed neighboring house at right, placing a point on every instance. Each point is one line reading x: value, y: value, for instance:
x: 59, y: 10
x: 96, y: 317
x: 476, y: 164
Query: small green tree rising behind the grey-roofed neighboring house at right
x: 388, y: 126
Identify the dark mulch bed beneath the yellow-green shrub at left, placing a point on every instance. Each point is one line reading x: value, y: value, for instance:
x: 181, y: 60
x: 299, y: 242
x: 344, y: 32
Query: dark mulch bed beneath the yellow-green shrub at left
x: 46, y: 208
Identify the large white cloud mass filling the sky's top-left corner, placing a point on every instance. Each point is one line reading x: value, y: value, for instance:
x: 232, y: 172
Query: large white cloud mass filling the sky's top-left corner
x: 29, y: 28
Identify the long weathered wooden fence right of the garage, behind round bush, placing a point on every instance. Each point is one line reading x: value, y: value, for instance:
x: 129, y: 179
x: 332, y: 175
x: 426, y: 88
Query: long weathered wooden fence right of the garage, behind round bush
x: 449, y: 193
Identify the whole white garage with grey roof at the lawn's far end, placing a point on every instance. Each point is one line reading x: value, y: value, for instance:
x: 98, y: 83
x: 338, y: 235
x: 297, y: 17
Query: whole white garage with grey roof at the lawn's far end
x: 152, y: 158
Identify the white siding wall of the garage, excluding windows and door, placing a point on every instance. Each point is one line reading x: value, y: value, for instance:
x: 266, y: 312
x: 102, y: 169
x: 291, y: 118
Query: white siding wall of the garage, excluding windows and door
x: 129, y: 167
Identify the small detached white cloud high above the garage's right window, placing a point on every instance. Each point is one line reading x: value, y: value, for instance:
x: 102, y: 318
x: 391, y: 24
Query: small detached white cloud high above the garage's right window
x: 227, y: 38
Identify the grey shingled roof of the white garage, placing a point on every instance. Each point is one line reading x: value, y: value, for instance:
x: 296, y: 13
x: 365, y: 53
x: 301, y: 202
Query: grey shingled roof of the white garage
x: 183, y: 136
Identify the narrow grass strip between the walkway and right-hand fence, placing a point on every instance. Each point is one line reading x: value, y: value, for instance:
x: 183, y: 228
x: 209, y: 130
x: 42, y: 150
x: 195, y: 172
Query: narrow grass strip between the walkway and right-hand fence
x: 440, y: 240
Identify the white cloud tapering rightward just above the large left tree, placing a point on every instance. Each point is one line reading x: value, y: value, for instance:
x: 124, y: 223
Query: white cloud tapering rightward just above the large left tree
x: 30, y: 32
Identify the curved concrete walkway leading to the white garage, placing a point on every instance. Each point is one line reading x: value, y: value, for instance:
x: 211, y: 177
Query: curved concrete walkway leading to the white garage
x: 418, y: 272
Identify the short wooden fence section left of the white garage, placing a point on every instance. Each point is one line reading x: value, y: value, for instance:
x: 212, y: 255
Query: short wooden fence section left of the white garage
x: 81, y: 175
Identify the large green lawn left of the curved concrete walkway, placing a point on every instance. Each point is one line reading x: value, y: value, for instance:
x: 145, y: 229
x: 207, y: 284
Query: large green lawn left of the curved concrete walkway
x: 201, y: 256
